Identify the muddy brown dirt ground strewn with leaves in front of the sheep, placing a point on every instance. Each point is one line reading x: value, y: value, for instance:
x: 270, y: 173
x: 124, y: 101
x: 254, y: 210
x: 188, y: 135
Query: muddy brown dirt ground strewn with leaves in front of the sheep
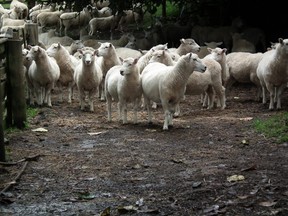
x: 87, y: 166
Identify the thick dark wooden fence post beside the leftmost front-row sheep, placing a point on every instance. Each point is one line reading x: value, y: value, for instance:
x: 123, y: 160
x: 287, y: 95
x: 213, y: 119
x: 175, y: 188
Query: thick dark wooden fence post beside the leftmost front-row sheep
x: 16, y: 82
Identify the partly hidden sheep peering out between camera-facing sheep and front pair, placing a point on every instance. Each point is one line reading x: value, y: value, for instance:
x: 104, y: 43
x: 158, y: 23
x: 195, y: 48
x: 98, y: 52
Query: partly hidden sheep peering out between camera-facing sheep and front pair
x: 107, y: 59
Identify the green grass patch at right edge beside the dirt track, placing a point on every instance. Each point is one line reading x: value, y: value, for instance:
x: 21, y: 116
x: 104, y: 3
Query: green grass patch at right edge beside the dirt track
x: 275, y: 126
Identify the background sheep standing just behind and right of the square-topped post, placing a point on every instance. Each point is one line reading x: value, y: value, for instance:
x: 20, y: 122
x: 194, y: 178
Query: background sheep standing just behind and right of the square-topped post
x: 49, y: 19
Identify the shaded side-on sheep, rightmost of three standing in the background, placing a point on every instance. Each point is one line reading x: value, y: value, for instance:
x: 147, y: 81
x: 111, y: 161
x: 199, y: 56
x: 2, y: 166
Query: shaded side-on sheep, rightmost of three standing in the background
x: 103, y: 24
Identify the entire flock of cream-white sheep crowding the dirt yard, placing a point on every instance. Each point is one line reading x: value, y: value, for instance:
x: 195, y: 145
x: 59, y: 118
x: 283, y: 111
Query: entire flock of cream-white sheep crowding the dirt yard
x: 115, y: 71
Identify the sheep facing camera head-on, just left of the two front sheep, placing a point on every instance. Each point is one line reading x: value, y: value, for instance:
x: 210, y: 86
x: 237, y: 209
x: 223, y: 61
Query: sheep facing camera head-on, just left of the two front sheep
x: 88, y: 76
